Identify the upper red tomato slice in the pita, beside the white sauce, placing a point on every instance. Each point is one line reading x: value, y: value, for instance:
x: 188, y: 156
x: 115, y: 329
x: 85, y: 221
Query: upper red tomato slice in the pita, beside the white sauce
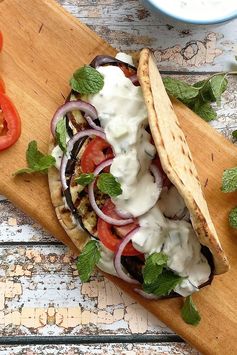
x: 96, y: 151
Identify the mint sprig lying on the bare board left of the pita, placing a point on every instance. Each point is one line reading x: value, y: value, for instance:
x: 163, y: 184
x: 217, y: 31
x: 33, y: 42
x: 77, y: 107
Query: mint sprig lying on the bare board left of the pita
x: 36, y: 161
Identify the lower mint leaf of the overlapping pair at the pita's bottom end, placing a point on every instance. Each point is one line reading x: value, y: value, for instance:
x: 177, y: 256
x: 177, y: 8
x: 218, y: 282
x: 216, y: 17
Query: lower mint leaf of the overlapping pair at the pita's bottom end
x: 164, y: 284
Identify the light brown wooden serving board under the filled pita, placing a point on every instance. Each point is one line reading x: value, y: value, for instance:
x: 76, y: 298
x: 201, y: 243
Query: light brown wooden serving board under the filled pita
x: 43, y: 45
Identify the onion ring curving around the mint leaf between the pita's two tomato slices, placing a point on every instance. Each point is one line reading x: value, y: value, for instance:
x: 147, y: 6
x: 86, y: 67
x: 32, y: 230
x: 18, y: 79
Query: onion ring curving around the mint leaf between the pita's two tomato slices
x: 110, y: 220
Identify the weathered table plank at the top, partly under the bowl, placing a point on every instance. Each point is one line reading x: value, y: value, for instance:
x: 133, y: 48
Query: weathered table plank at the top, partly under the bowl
x: 129, y: 26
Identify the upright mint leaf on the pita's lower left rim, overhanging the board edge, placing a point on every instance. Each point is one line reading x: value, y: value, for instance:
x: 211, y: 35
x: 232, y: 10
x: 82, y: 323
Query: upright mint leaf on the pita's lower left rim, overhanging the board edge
x: 88, y: 259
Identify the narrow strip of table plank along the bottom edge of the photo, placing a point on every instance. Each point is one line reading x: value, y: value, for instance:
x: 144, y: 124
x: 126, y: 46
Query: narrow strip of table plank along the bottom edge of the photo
x: 100, y: 349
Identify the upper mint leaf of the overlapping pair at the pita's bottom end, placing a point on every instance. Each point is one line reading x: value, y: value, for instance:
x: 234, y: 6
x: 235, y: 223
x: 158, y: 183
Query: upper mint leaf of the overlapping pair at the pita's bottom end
x: 153, y: 267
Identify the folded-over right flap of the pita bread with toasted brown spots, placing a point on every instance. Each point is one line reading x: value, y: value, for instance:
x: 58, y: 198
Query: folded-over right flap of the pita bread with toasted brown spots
x: 176, y: 158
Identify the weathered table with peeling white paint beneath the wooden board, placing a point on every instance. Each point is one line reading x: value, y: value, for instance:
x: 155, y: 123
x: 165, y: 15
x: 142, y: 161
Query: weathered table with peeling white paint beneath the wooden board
x: 44, y: 308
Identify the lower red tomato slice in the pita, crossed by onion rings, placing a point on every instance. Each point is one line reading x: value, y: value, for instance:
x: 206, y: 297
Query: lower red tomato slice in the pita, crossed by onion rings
x: 106, y: 232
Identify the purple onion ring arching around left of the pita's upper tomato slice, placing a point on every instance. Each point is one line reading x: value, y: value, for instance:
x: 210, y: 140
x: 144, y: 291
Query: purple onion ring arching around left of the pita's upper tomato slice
x: 70, y: 144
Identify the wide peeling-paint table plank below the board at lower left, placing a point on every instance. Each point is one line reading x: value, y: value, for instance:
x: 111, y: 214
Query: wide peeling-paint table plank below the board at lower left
x: 41, y: 294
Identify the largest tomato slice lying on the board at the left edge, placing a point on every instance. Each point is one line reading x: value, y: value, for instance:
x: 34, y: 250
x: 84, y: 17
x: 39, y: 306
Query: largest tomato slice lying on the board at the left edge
x: 10, y: 123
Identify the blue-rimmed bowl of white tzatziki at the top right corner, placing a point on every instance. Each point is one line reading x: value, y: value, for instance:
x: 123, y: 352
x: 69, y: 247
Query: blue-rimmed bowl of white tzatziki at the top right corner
x: 196, y: 11
